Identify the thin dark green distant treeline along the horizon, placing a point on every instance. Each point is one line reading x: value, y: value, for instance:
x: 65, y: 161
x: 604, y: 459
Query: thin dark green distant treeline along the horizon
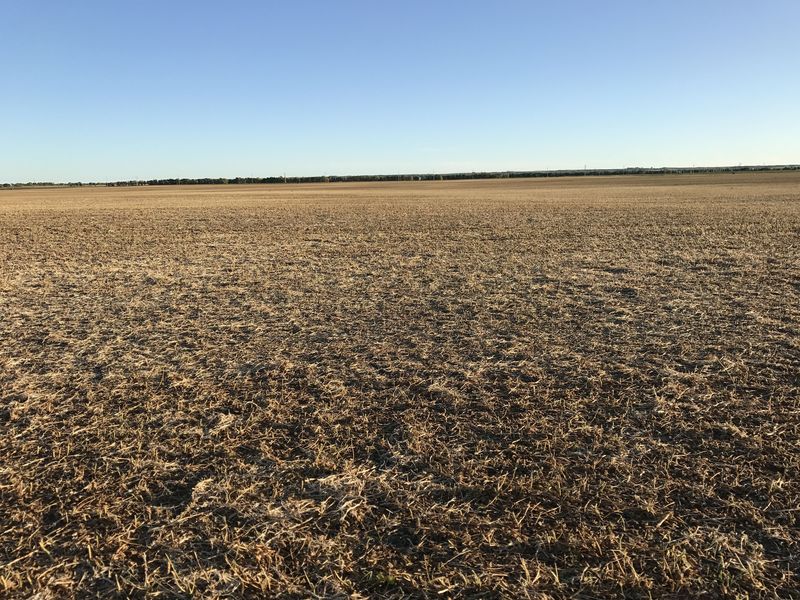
x: 419, y: 176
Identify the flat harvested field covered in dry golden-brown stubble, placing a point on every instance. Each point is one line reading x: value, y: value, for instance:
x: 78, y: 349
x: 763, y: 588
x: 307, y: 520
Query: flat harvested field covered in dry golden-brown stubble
x: 580, y: 387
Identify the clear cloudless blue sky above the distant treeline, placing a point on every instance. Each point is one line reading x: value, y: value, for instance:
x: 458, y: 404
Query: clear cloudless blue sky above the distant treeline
x: 106, y: 90
